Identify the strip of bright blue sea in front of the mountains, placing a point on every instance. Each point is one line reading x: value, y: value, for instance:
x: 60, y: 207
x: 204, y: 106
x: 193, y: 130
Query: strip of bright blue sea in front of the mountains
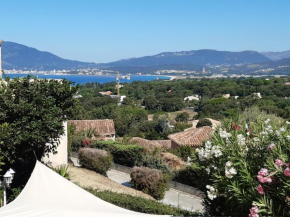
x: 83, y: 79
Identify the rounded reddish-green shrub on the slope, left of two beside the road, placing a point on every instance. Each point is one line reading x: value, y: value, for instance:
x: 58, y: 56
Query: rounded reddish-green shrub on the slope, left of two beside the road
x: 95, y: 159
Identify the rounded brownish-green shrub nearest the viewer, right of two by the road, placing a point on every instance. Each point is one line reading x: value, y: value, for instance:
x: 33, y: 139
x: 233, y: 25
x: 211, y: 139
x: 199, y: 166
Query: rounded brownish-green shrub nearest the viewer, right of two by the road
x: 150, y: 181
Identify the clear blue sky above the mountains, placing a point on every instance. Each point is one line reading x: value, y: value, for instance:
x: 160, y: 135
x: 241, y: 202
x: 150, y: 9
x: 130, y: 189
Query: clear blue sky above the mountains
x: 110, y: 30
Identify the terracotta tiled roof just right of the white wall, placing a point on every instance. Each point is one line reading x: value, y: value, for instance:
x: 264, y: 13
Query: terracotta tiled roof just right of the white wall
x: 102, y: 127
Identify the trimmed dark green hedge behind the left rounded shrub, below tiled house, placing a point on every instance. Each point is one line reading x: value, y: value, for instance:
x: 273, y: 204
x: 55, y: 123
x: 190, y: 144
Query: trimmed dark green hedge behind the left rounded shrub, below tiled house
x: 127, y: 155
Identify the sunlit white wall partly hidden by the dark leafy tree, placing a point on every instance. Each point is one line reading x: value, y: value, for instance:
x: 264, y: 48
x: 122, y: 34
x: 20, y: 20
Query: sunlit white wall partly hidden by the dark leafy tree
x: 61, y: 157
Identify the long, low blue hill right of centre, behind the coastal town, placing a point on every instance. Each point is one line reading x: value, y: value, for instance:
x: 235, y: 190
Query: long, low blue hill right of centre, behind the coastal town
x: 195, y: 57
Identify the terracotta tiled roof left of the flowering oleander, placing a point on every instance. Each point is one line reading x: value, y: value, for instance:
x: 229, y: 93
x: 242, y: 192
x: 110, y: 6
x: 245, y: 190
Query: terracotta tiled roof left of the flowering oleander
x: 192, y: 136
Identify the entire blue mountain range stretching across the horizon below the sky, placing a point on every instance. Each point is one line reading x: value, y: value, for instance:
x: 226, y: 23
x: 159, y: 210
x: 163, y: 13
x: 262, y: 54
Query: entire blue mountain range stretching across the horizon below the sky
x: 21, y: 57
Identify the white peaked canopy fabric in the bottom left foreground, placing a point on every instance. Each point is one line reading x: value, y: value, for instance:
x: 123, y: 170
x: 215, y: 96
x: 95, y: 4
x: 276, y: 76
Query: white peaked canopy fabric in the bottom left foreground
x: 47, y: 194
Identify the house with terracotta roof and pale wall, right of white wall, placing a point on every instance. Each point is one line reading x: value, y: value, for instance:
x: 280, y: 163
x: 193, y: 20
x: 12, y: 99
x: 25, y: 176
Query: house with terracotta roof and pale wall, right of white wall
x: 103, y: 129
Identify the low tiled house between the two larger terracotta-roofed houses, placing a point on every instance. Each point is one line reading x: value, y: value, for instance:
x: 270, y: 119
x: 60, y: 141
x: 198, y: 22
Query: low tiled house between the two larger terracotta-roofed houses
x: 151, y: 144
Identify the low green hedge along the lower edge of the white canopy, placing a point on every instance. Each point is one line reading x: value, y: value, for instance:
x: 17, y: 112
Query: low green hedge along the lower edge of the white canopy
x: 139, y: 204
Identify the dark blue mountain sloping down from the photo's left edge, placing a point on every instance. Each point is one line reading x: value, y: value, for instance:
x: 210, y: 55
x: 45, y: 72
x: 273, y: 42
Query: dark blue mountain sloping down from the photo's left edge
x: 17, y: 56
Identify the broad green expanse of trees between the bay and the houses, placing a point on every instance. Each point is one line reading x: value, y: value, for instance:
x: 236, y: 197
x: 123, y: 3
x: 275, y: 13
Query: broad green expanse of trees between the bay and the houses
x: 161, y: 97
